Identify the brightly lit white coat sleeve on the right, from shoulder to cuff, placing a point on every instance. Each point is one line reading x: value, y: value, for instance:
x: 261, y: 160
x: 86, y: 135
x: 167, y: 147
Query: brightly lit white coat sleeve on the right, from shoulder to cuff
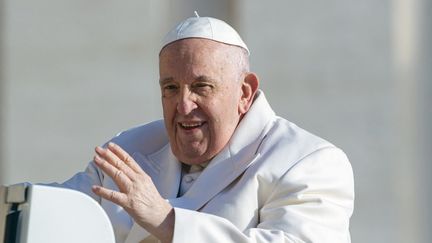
x: 312, y: 202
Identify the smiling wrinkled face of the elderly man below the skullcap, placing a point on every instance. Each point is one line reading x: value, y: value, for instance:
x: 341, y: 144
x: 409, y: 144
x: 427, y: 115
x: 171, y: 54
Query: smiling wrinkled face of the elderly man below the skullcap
x: 201, y: 92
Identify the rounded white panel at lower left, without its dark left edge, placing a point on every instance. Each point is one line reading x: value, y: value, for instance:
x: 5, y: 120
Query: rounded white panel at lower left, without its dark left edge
x: 53, y: 215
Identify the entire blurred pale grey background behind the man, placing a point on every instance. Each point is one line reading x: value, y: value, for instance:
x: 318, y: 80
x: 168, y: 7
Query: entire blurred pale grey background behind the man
x: 357, y: 73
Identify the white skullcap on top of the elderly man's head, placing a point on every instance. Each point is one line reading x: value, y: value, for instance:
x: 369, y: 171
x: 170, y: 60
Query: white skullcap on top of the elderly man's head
x: 207, y: 28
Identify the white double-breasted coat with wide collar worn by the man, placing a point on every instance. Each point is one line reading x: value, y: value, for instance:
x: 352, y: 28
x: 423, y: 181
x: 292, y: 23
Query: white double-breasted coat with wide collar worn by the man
x: 273, y: 182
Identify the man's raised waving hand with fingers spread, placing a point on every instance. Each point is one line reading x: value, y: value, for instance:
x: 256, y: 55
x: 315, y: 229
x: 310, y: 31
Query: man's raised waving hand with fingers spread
x: 137, y: 193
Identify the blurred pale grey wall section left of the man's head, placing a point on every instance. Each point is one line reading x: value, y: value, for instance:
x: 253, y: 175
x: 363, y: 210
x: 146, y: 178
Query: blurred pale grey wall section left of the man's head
x: 76, y: 73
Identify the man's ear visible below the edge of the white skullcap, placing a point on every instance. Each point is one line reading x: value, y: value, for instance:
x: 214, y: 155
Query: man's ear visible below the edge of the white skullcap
x: 249, y: 88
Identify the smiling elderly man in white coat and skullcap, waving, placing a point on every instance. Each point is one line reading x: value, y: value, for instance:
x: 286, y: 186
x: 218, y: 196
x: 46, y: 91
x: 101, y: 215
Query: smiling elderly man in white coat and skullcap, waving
x: 220, y: 166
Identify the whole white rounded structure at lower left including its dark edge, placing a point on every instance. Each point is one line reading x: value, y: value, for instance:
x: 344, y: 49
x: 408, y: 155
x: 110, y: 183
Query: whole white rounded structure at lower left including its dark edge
x: 51, y: 215
